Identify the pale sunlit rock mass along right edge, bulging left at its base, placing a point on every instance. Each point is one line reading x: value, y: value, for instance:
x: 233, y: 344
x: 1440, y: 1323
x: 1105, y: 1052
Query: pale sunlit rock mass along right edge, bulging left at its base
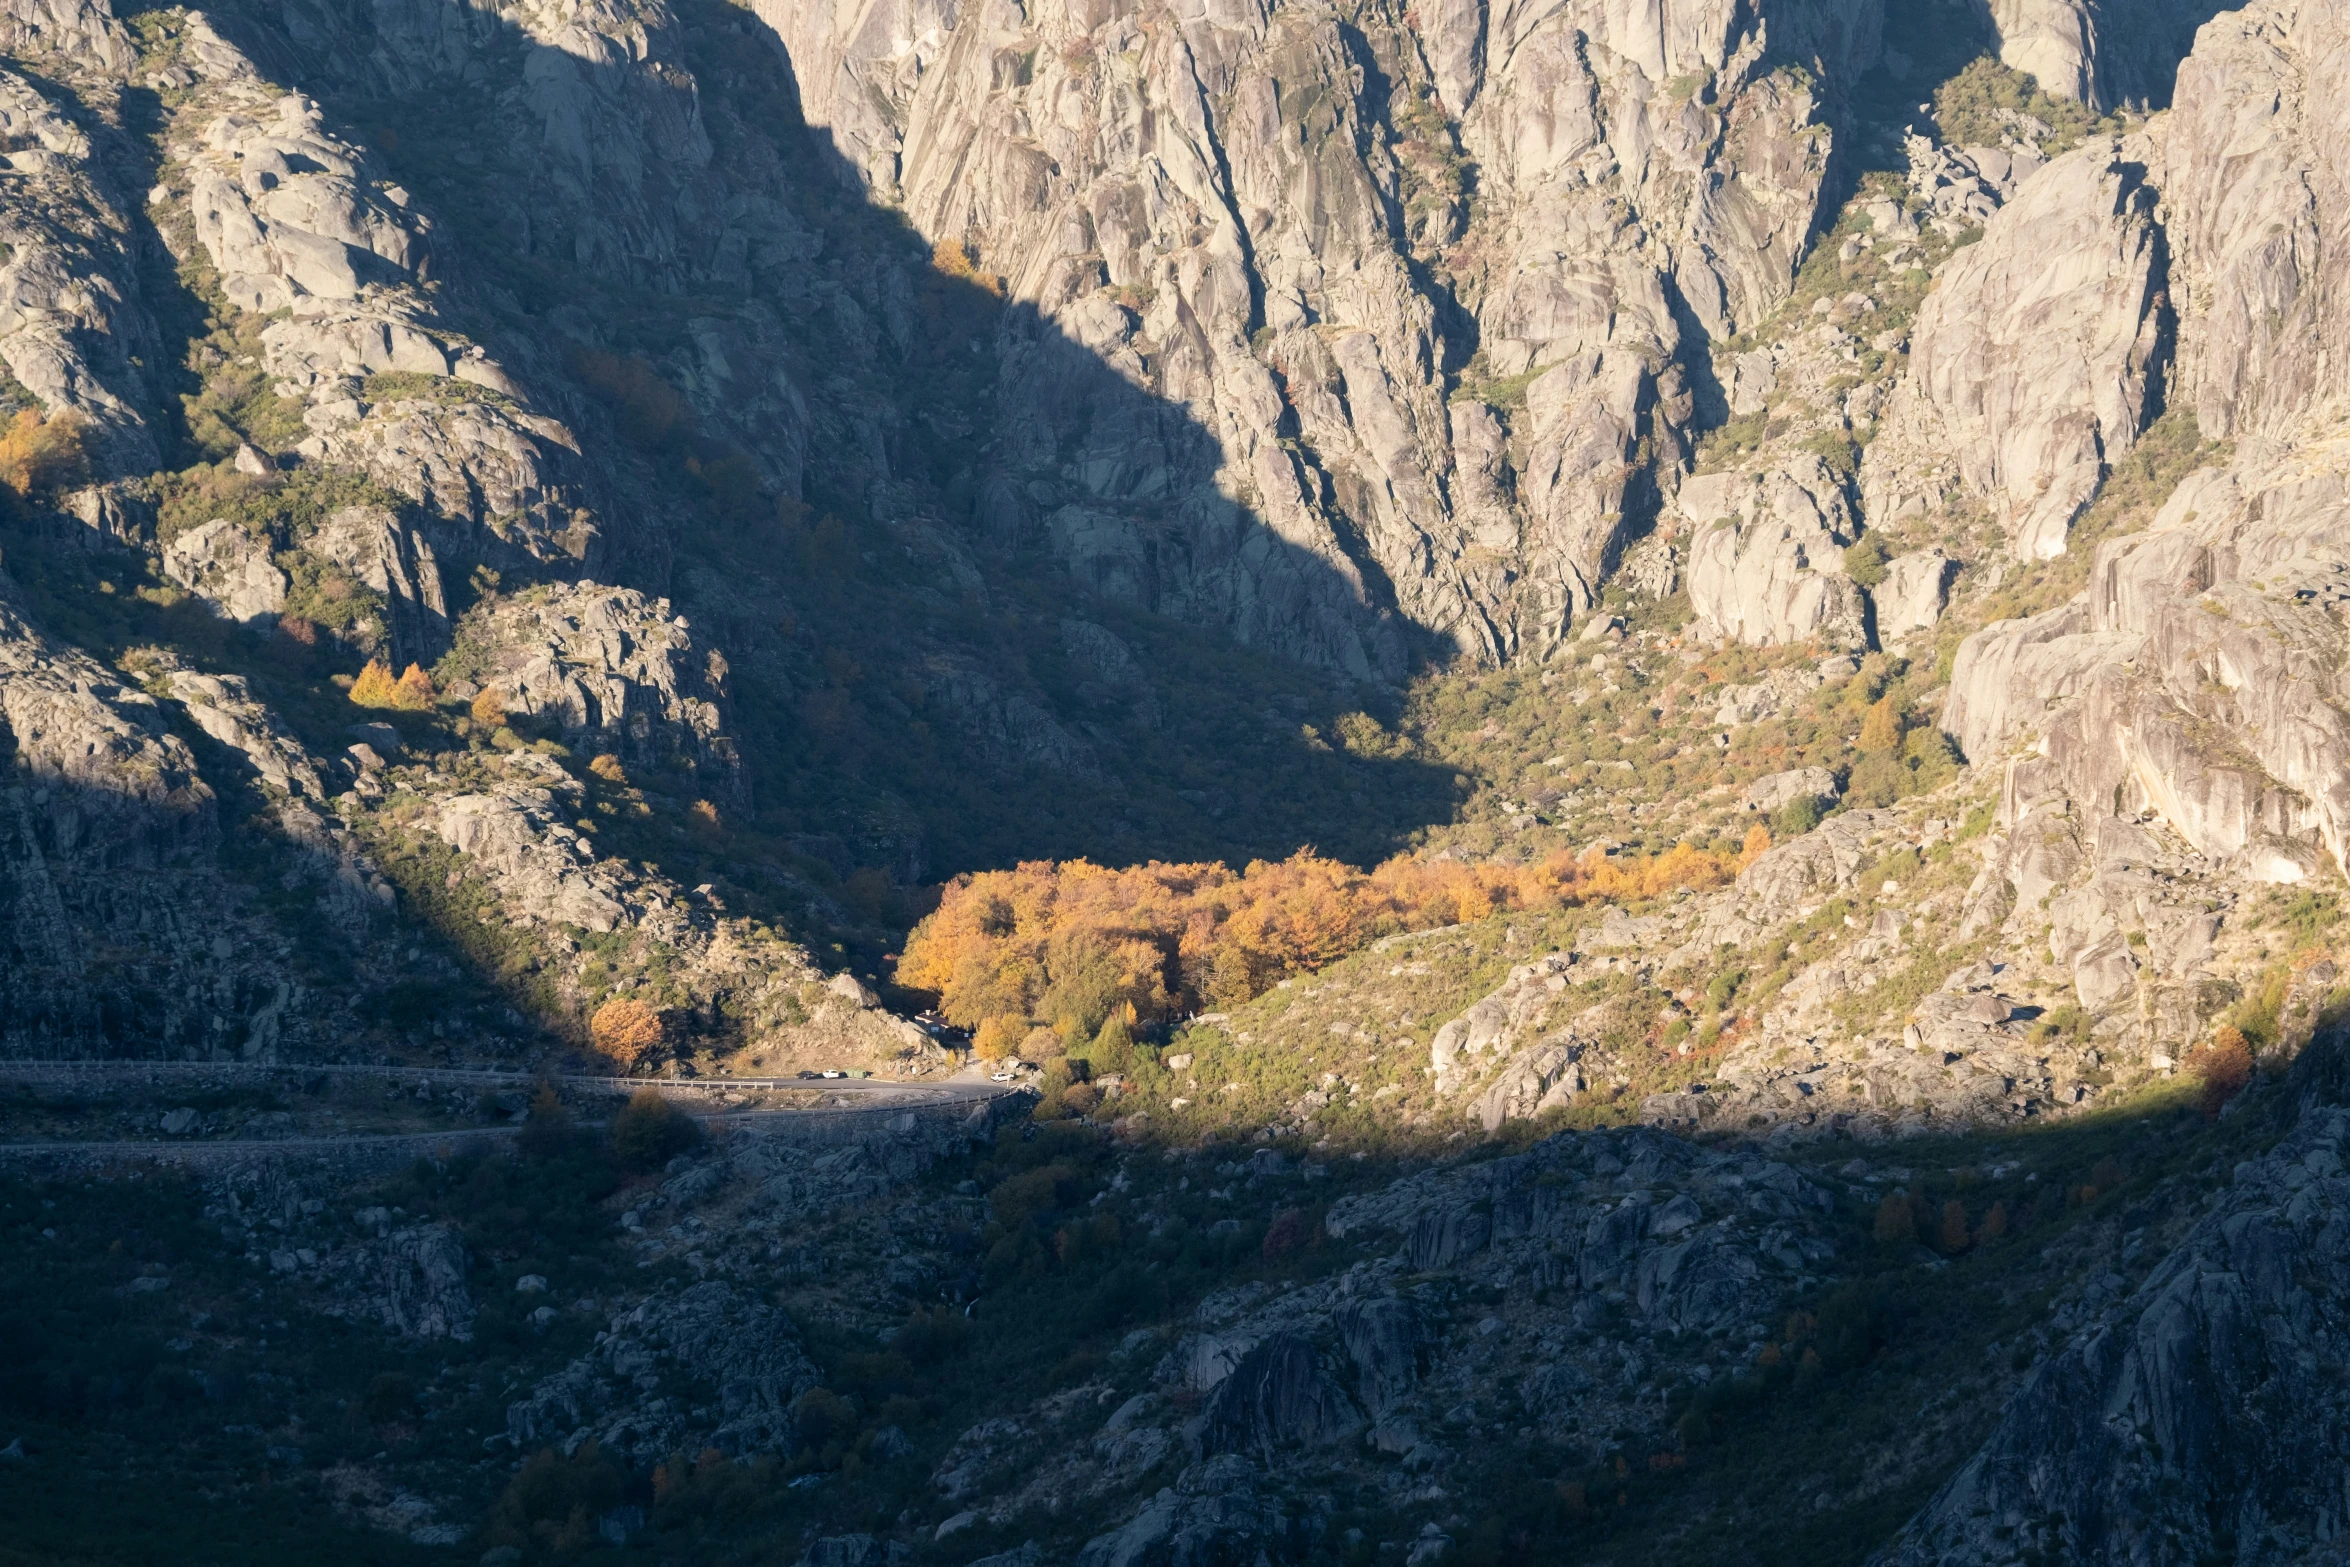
x: 2184, y: 682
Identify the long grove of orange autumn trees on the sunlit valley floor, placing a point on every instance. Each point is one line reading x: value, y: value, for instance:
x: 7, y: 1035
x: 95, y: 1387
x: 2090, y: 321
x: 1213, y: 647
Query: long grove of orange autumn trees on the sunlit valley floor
x: 1073, y: 943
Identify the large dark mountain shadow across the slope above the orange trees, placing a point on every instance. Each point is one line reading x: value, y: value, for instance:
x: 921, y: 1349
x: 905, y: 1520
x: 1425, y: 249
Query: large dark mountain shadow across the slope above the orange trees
x: 939, y: 664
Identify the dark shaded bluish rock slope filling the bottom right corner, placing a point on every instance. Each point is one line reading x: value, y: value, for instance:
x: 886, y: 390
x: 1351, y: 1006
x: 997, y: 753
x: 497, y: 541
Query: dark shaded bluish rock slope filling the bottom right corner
x: 2187, y: 1413
